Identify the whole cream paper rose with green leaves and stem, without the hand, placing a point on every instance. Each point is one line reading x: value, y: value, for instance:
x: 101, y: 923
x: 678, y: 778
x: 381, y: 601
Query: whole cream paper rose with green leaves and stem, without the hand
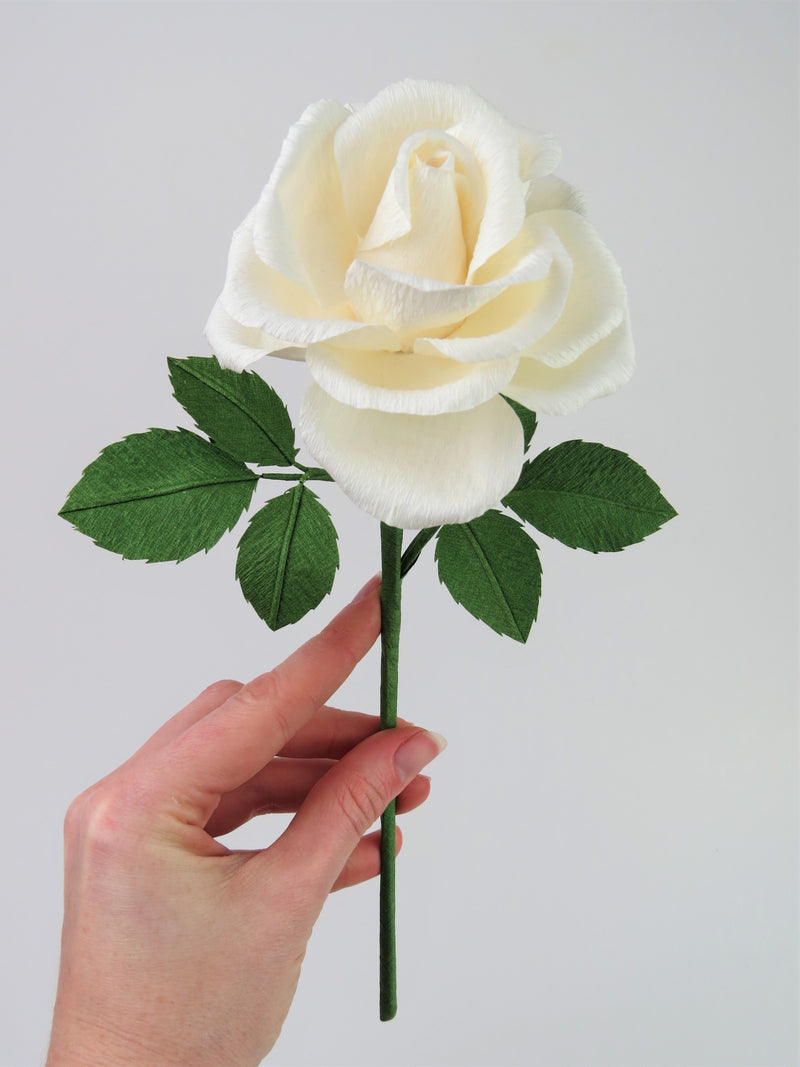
x: 445, y: 290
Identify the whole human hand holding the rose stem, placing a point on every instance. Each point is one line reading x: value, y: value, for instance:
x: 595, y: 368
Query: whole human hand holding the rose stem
x: 179, y: 951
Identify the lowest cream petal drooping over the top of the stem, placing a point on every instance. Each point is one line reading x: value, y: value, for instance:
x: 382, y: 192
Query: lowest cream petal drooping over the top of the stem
x: 415, y: 471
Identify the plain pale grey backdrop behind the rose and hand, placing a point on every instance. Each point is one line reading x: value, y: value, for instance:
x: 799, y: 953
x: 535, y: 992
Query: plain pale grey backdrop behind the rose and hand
x: 606, y: 872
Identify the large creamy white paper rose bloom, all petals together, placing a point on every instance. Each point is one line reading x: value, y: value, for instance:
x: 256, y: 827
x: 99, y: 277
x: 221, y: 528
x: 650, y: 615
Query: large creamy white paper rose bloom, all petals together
x: 422, y: 257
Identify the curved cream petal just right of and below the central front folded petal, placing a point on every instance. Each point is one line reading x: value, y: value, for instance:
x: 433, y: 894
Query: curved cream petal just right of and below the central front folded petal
x: 513, y: 322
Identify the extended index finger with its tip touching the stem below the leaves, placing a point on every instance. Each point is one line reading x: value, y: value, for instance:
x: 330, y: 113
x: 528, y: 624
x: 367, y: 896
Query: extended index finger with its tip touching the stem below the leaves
x: 231, y: 745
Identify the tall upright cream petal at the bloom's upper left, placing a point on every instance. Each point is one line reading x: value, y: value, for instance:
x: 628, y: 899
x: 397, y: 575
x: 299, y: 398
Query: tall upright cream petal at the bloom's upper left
x: 301, y: 226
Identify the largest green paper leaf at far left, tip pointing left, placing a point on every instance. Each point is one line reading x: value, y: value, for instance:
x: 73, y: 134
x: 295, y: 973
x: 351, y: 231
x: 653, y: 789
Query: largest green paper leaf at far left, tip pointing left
x: 161, y: 496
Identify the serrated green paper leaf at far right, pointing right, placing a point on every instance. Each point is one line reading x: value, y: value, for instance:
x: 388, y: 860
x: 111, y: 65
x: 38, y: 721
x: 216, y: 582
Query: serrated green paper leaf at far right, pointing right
x: 589, y: 497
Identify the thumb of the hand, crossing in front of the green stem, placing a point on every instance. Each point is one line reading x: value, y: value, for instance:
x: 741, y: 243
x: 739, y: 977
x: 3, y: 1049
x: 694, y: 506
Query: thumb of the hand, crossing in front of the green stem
x: 350, y: 798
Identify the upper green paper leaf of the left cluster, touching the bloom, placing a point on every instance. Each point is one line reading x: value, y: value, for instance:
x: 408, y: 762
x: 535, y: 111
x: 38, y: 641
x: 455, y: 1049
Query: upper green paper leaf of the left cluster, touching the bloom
x: 241, y: 412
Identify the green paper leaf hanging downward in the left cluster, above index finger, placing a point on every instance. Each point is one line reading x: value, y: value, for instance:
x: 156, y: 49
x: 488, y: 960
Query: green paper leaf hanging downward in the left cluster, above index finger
x: 289, y: 558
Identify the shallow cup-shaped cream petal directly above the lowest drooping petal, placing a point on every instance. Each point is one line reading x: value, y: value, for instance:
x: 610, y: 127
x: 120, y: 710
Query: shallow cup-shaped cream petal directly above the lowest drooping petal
x: 406, y: 384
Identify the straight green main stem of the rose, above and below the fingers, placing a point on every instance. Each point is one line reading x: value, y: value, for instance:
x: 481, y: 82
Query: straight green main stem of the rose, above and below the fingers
x: 392, y: 544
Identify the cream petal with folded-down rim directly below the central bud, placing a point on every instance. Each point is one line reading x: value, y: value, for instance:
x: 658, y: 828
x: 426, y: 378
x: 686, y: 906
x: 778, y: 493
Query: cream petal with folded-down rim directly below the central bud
x: 412, y: 306
